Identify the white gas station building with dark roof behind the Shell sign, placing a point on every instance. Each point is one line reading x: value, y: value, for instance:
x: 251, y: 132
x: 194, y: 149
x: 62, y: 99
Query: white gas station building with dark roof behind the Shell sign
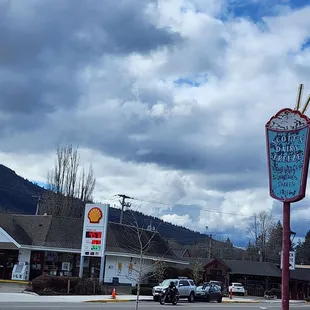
x: 53, y: 244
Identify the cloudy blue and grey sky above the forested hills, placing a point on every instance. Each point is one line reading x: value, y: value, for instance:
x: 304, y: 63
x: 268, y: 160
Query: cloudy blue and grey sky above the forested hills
x: 167, y: 99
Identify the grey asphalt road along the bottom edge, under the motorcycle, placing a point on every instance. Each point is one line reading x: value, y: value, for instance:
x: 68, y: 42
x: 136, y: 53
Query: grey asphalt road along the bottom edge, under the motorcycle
x: 144, y: 306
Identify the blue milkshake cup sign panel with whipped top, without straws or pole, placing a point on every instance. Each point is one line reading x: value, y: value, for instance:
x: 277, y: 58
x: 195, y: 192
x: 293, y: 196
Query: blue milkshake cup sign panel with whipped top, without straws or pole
x: 288, y: 155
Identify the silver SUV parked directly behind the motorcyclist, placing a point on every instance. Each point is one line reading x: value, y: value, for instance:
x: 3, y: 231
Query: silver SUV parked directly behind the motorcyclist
x: 185, y: 286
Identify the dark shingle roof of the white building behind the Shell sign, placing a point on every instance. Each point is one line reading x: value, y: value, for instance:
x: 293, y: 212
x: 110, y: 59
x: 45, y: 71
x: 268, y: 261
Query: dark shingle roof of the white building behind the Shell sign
x: 58, y: 232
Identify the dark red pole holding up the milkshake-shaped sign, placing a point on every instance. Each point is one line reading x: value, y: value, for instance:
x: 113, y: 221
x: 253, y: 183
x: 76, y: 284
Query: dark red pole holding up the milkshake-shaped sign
x: 286, y: 255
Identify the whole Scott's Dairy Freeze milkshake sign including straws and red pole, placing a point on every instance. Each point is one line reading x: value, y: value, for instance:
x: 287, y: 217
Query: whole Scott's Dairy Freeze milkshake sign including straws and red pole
x: 288, y: 150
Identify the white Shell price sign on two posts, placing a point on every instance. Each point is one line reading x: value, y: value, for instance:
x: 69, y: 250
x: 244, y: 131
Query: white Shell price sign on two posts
x: 94, y: 234
